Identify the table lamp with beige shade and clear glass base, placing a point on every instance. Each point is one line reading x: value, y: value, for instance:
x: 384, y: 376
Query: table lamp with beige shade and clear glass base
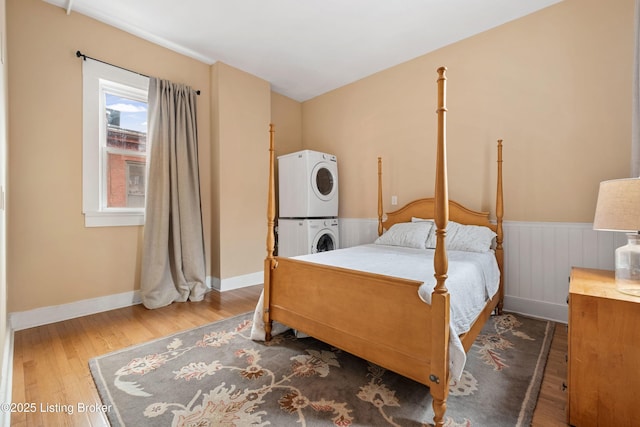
x: 618, y: 209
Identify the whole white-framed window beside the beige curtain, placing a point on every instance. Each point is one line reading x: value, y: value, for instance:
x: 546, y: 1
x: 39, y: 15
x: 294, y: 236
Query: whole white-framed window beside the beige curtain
x: 114, y: 145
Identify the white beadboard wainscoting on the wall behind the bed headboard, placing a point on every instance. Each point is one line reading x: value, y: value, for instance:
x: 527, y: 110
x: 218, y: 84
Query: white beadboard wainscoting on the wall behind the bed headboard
x: 538, y: 260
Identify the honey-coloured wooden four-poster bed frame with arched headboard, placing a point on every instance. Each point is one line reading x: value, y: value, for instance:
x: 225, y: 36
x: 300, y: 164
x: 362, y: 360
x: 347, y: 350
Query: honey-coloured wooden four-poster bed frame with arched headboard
x: 408, y: 337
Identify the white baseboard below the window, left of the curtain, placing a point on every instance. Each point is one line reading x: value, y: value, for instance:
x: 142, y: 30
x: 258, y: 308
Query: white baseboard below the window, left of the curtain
x: 56, y: 313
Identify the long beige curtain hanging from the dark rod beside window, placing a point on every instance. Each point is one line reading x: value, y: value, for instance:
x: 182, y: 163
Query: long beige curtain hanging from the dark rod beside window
x: 173, y: 263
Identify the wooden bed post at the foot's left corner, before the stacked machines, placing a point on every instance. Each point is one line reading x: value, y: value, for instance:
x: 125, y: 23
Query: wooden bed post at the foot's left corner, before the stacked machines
x: 270, y: 261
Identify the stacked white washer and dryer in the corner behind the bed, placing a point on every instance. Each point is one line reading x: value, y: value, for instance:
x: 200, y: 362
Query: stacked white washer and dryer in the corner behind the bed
x: 308, y: 203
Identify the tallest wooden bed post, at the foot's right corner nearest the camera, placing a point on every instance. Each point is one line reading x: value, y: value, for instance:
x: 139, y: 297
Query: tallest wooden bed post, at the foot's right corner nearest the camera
x: 440, y: 297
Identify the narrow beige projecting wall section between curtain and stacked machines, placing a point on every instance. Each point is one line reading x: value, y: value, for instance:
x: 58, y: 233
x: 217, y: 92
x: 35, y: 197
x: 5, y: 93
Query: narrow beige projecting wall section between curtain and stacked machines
x: 243, y: 108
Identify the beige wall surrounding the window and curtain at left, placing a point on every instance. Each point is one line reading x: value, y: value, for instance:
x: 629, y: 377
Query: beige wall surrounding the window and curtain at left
x: 52, y: 257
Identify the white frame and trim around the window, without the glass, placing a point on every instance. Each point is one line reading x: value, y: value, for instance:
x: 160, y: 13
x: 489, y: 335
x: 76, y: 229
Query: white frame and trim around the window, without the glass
x: 98, y: 77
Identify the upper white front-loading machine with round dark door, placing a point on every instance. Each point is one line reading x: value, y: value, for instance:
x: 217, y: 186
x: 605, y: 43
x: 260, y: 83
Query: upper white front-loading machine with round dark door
x: 308, y: 185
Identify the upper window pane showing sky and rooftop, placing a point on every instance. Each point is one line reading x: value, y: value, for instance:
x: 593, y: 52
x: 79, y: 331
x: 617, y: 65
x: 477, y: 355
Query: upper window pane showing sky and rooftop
x: 126, y: 120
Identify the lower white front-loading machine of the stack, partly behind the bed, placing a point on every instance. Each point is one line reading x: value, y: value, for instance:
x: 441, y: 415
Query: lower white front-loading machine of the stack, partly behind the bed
x: 307, y: 236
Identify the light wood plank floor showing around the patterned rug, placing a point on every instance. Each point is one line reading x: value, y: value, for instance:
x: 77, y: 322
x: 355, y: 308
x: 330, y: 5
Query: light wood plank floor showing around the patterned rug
x: 50, y: 363
